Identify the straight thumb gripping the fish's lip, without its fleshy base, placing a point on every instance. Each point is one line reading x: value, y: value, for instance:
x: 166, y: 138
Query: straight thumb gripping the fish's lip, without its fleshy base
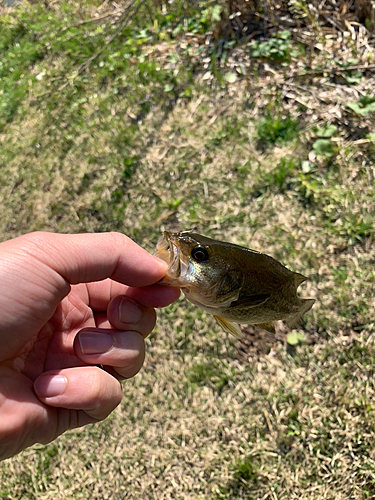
x: 82, y: 258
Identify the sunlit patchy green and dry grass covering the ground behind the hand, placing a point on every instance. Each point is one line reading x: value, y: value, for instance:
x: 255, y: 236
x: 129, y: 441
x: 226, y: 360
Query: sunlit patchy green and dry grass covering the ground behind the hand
x: 153, y: 136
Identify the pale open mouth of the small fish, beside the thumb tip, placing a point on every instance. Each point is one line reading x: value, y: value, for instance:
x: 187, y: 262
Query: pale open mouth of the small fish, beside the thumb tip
x: 168, y: 250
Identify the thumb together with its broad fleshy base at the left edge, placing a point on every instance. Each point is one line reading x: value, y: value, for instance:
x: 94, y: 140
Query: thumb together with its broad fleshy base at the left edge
x: 37, y: 269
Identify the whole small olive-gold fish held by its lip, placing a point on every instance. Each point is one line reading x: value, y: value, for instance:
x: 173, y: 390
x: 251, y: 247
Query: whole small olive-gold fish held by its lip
x: 233, y: 283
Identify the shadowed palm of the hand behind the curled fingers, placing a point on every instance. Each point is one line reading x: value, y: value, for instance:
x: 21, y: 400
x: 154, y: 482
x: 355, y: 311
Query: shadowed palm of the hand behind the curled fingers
x: 49, y: 349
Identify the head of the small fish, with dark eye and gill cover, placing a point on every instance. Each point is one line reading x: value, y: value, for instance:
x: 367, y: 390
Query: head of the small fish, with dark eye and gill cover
x: 199, y: 266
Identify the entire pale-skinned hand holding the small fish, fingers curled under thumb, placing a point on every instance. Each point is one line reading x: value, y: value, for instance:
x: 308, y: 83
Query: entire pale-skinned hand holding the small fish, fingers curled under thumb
x: 70, y: 303
